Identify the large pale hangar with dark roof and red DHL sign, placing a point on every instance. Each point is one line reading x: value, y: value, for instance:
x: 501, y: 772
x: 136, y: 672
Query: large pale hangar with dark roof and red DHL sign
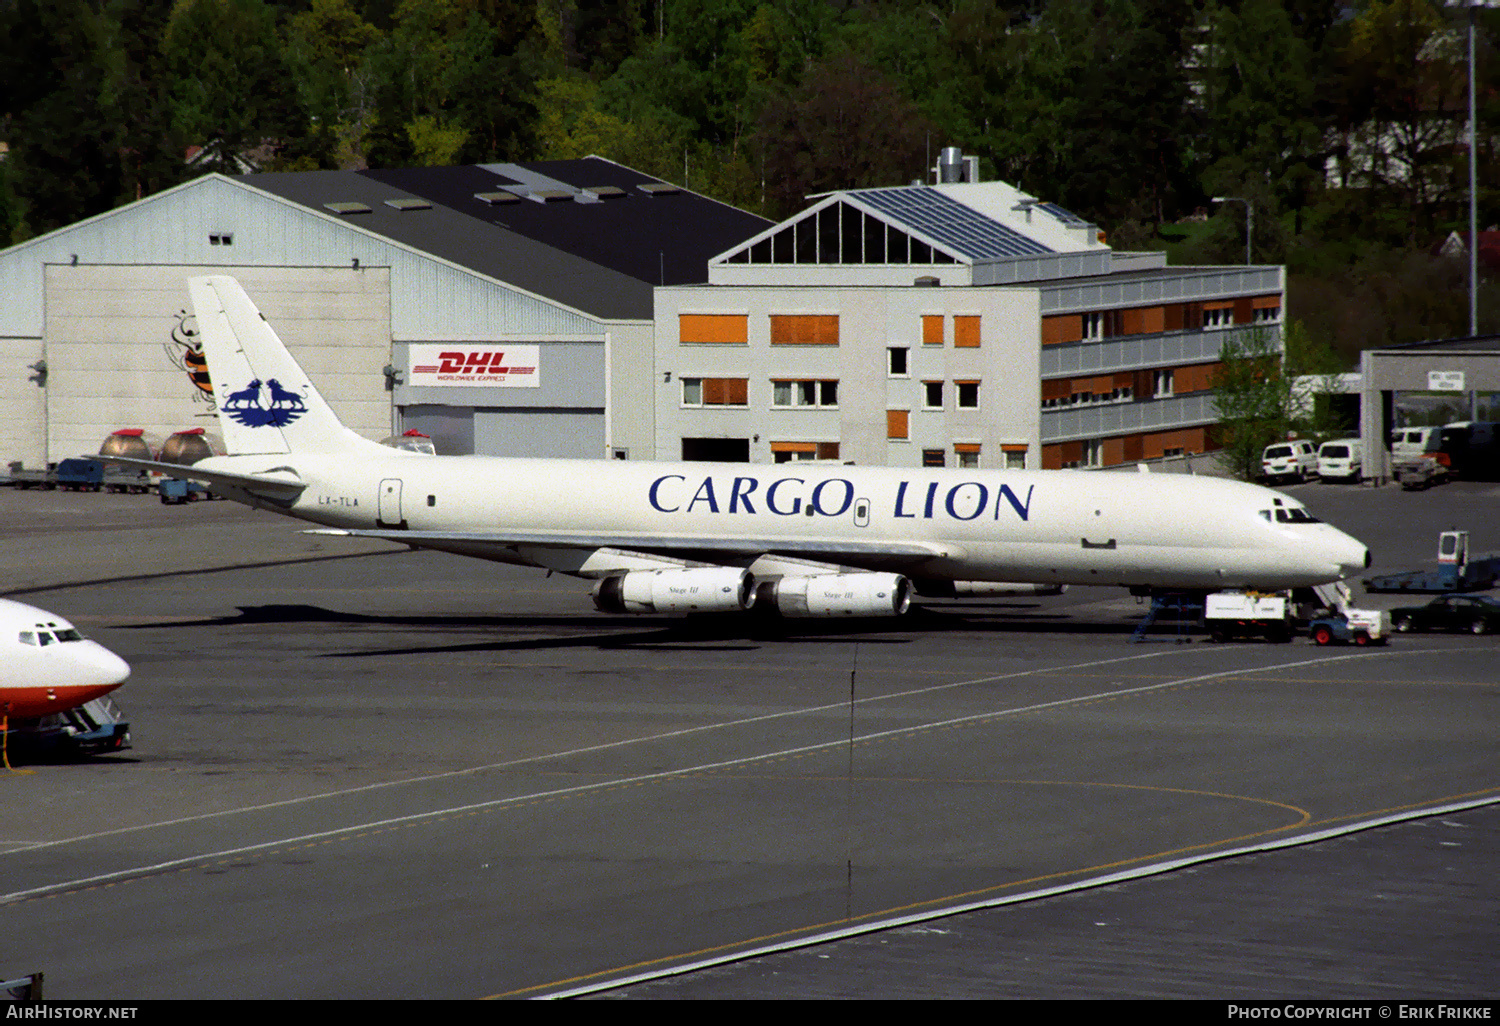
x: 380, y: 281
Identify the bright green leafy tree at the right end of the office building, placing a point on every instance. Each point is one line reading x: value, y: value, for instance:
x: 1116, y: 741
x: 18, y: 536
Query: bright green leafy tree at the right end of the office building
x: 1253, y: 400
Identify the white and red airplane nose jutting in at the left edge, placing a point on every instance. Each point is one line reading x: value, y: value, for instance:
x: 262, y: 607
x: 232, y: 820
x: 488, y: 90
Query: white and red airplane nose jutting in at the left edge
x: 49, y: 665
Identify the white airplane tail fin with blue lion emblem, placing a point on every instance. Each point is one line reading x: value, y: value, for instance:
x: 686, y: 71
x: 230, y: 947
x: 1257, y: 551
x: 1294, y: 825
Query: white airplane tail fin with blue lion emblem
x: 266, y: 401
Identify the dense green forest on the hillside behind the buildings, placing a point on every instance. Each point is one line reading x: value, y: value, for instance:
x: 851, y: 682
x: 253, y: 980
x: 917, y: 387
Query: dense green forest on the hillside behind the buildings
x: 1342, y: 122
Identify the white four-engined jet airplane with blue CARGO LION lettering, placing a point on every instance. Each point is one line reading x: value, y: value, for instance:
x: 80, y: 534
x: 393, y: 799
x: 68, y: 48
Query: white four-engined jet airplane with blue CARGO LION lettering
x: 812, y: 541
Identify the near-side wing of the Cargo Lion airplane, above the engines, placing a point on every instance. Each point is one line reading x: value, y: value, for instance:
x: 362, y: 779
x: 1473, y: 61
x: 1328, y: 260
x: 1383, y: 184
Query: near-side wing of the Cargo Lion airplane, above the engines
x: 716, y: 550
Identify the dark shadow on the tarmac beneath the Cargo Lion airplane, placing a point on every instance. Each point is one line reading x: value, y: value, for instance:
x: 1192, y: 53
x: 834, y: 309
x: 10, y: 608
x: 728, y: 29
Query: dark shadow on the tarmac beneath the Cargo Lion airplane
x: 701, y: 632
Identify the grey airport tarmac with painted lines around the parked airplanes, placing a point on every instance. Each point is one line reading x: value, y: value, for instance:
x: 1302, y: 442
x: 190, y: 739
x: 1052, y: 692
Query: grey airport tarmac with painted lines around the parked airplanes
x: 362, y: 772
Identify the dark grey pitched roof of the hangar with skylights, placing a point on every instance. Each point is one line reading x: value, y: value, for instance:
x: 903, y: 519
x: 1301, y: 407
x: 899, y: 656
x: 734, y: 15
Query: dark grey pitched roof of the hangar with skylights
x: 602, y: 254
